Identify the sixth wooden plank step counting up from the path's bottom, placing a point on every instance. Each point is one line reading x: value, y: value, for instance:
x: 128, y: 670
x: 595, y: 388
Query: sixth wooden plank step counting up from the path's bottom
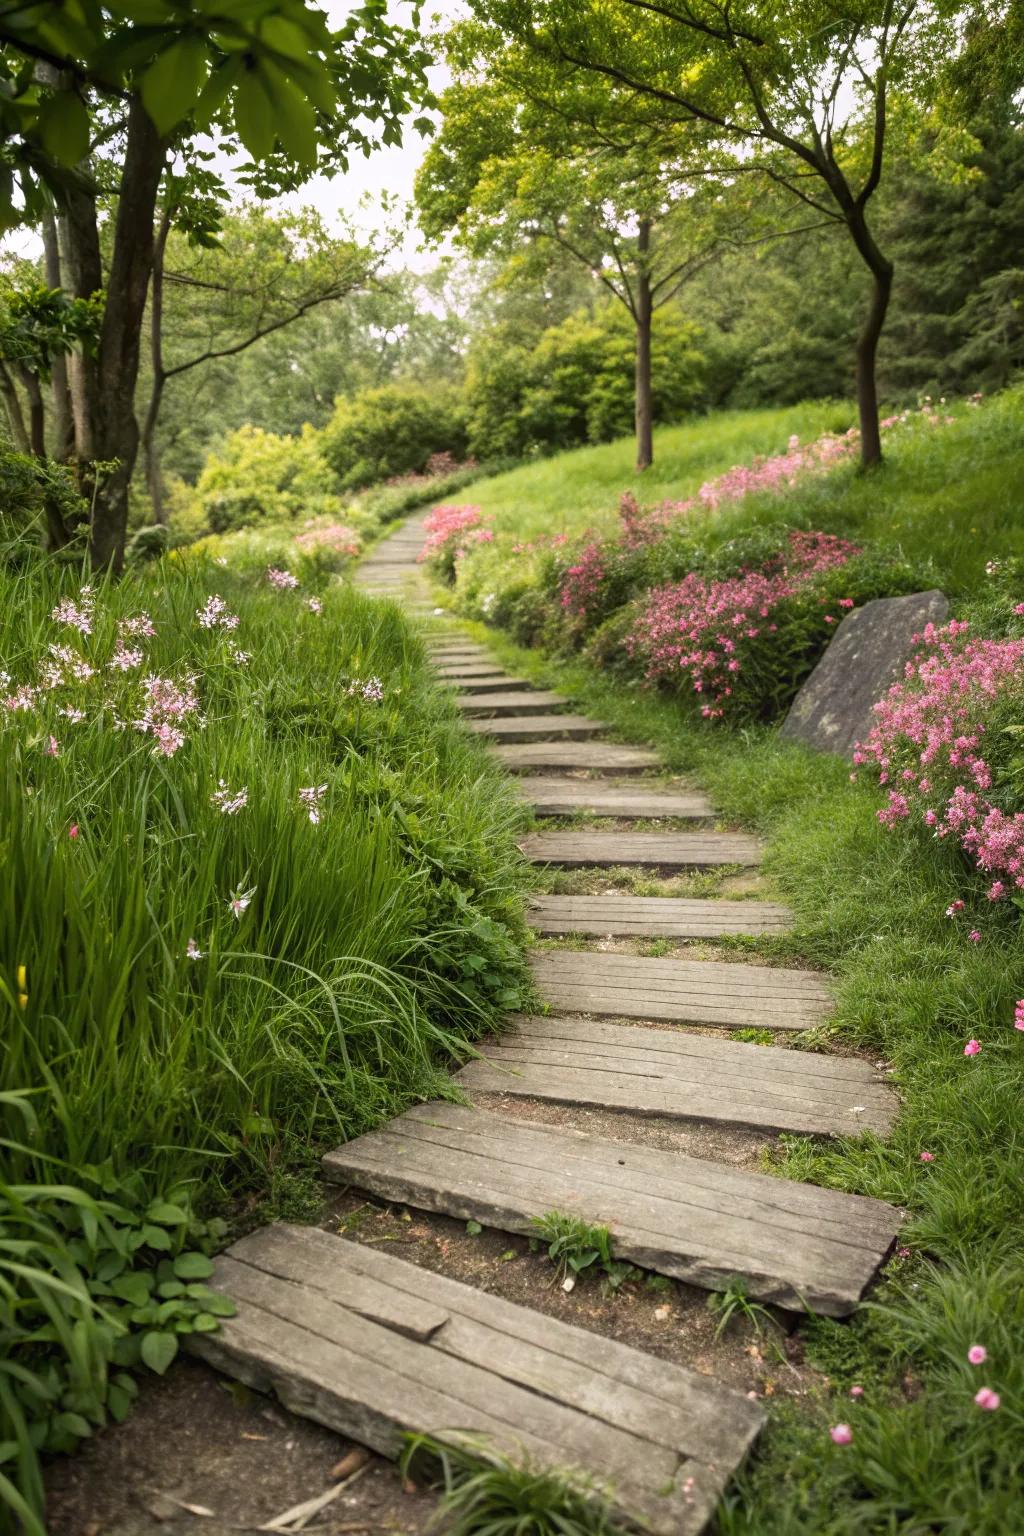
x: 580, y: 849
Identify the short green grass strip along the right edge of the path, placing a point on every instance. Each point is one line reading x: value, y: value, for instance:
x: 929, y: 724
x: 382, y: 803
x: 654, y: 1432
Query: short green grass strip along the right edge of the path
x: 870, y: 905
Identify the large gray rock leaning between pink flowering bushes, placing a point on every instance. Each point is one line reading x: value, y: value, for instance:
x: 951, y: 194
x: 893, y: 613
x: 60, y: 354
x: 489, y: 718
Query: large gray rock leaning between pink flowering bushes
x: 867, y: 657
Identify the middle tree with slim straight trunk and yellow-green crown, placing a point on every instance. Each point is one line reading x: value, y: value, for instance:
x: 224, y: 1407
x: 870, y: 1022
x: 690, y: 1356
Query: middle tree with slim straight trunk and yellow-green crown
x: 530, y: 165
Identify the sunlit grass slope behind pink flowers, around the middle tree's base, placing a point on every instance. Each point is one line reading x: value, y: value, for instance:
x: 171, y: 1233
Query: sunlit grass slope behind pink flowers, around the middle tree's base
x: 581, y: 489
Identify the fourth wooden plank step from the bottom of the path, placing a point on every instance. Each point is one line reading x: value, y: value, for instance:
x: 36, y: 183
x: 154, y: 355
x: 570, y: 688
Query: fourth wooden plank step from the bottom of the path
x: 681, y: 991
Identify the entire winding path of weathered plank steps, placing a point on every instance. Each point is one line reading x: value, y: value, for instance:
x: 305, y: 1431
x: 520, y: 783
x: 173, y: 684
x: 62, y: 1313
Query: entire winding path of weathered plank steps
x: 374, y: 1346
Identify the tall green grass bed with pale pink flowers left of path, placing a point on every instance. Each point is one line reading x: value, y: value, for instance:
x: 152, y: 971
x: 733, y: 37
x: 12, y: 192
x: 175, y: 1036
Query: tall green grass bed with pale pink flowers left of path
x: 259, y: 889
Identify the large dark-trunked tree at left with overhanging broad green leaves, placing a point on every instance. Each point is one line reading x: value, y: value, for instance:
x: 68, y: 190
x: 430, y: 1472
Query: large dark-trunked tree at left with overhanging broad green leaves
x: 97, y: 94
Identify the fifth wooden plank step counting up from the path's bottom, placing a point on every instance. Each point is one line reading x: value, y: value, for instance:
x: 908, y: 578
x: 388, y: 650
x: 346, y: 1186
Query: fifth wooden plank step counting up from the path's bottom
x: 655, y: 916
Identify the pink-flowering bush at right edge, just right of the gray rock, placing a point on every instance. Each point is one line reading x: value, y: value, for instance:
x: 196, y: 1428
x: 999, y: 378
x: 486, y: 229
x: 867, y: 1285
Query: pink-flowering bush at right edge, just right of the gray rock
x: 930, y: 744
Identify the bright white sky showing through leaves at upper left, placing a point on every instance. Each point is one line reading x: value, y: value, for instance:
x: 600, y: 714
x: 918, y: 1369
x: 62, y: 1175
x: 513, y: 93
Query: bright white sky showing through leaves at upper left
x: 354, y: 196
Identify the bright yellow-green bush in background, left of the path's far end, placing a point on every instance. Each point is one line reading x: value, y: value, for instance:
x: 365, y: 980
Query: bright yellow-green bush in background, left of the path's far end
x: 257, y: 477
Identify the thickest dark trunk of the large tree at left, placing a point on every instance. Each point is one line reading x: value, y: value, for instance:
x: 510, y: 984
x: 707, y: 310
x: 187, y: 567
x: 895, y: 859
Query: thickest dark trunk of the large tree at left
x: 113, y: 425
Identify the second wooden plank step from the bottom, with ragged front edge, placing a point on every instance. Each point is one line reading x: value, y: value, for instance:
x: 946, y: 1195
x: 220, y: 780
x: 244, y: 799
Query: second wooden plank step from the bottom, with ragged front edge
x: 701, y: 1222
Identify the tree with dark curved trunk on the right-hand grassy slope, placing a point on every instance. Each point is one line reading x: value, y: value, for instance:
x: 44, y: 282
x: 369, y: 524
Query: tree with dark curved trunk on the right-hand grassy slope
x: 799, y: 94
